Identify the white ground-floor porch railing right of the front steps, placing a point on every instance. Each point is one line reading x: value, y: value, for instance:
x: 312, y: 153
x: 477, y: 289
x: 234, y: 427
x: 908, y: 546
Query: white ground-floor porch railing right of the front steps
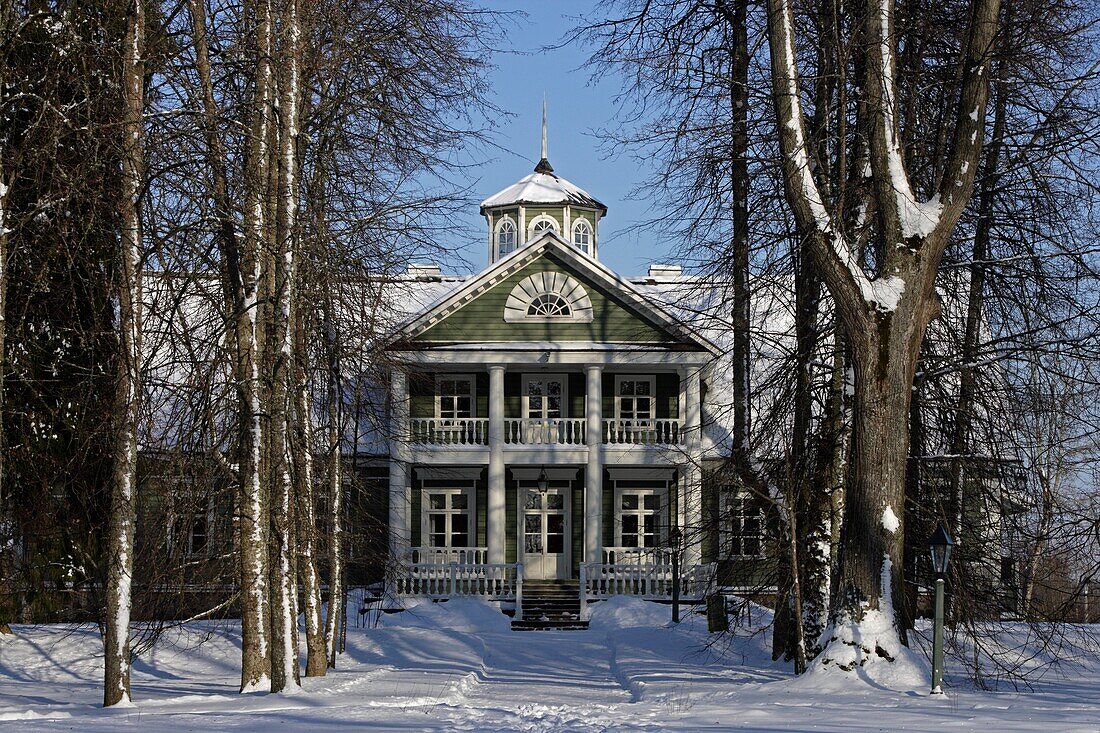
x: 601, y: 581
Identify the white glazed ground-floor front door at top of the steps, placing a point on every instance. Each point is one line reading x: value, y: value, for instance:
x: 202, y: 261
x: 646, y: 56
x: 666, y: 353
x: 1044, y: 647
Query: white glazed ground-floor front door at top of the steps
x: 546, y: 533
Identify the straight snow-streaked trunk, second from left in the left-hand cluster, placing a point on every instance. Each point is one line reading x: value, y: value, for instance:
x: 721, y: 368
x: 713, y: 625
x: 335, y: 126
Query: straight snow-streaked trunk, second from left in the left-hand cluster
x: 281, y: 343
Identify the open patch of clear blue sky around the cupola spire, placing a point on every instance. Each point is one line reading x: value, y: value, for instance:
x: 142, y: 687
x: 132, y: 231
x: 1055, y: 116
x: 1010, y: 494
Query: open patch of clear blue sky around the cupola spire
x: 577, y: 107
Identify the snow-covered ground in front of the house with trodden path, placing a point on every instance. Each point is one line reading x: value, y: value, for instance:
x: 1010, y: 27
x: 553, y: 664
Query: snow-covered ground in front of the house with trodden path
x: 459, y: 668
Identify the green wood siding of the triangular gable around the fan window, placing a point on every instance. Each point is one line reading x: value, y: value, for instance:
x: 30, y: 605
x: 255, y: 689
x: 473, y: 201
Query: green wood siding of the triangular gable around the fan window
x: 482, y: 320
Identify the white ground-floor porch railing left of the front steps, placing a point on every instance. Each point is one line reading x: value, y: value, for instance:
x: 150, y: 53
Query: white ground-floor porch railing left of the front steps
x: 498, y: 581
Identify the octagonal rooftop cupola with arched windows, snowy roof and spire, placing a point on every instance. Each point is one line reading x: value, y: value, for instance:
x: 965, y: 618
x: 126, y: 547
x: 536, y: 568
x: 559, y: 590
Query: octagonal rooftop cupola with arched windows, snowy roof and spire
x: 538, y: 203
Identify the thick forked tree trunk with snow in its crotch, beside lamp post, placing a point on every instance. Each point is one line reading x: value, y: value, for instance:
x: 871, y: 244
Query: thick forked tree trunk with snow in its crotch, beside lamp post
x: 886, y: 313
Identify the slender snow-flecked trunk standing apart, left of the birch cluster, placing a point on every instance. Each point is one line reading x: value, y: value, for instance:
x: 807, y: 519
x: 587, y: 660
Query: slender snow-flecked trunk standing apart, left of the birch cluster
x: 125, y: 430
